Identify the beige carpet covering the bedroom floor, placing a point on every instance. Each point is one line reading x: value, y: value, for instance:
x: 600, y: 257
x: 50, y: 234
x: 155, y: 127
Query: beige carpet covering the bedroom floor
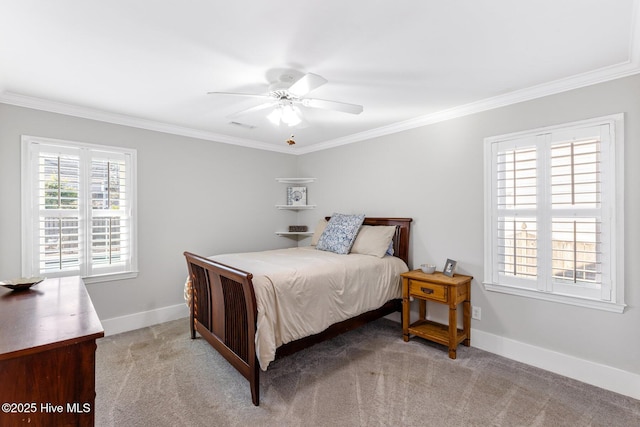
x: 158, y: 376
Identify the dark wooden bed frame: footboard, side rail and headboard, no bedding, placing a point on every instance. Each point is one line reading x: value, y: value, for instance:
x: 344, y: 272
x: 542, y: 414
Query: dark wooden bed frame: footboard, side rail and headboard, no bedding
x: 224, y: 310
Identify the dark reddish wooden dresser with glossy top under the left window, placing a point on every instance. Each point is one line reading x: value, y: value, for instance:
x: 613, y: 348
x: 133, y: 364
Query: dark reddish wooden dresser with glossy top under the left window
x: 47, y: 354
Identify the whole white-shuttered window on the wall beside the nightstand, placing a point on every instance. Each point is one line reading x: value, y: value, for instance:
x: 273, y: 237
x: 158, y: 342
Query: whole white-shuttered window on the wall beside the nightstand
x: 554, y: 213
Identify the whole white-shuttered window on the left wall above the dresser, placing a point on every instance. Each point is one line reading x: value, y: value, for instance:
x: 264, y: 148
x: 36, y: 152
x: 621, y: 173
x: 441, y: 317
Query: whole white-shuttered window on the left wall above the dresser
x: 78, y: 210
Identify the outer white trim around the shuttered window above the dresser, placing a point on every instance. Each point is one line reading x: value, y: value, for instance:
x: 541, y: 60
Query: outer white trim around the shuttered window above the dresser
x: 27, y: 213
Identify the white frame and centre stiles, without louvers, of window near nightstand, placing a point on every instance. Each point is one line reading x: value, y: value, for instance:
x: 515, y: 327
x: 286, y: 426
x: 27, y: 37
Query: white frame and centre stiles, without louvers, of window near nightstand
x: 612, y: 189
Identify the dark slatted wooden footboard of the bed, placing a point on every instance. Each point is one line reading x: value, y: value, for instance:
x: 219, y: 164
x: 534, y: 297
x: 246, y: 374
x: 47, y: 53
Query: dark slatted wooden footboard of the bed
x: 224, y: 312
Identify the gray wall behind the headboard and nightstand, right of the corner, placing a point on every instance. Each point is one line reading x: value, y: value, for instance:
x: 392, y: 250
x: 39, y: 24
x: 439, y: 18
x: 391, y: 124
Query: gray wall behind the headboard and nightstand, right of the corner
x: 434, y: 174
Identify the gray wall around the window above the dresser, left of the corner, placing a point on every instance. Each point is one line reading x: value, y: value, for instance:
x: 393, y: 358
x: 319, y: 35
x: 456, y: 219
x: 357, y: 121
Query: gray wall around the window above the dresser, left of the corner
x: 194, y: 195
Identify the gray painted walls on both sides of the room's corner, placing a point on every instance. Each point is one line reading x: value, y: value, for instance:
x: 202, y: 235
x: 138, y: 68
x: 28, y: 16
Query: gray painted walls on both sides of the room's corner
x: 211, y: 198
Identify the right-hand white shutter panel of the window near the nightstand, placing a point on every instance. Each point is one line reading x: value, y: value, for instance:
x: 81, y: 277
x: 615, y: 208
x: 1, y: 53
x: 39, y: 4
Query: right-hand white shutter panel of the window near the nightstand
x: 581, y: 224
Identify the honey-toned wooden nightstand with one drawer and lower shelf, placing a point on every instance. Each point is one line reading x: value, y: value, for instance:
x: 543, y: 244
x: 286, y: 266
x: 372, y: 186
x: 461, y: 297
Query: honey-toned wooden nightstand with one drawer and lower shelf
x: 440, y: 289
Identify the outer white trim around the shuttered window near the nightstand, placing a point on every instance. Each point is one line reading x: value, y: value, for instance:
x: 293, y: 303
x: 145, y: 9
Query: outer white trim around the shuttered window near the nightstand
x: 616, y: 151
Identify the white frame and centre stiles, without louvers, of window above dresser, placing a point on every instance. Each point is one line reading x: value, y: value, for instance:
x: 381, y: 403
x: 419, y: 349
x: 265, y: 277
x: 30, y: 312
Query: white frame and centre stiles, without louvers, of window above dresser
x: 31, y: 210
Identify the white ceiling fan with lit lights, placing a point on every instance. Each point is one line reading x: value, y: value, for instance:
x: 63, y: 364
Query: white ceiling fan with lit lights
x: 286, y: 96
